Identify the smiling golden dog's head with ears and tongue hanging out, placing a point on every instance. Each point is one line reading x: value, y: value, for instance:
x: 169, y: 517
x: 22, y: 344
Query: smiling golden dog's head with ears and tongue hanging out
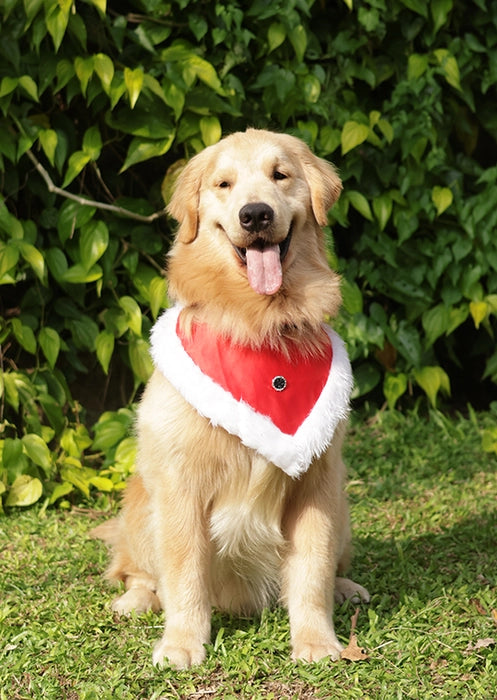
x: 255, y: 192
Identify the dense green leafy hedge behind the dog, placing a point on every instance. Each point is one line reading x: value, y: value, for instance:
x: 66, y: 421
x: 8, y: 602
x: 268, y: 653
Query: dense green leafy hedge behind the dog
x: 103, y: 101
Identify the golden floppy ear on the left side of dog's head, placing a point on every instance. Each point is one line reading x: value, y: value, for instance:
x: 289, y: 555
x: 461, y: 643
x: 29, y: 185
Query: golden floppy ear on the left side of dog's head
x: 183, y: 205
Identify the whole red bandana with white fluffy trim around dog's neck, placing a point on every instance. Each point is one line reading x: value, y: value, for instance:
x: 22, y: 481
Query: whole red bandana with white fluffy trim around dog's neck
x: 285, y: 407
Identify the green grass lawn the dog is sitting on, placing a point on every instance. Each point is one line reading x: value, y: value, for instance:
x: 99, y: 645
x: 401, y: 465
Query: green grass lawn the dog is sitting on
x: 424, y: 506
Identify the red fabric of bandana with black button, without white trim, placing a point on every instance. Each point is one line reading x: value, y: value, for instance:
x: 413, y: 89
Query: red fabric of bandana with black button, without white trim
x: 283, y: 388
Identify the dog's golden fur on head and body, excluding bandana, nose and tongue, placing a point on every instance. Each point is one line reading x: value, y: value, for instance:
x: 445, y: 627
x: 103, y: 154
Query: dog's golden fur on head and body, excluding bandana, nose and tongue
x: 207, y: 521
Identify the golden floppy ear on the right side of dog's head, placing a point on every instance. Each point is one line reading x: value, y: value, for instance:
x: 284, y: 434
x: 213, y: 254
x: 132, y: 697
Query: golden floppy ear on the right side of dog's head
x: 324, y: 183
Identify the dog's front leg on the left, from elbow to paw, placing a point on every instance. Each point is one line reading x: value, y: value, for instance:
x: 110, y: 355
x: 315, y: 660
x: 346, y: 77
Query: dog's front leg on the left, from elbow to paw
x: 182, y: 554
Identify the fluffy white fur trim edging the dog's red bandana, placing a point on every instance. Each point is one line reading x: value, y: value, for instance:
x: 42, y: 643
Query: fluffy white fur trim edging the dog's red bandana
x: 292, y: 453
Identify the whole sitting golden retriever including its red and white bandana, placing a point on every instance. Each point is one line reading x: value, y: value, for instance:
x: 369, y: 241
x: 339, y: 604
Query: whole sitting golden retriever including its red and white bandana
x: 238, y: 498
